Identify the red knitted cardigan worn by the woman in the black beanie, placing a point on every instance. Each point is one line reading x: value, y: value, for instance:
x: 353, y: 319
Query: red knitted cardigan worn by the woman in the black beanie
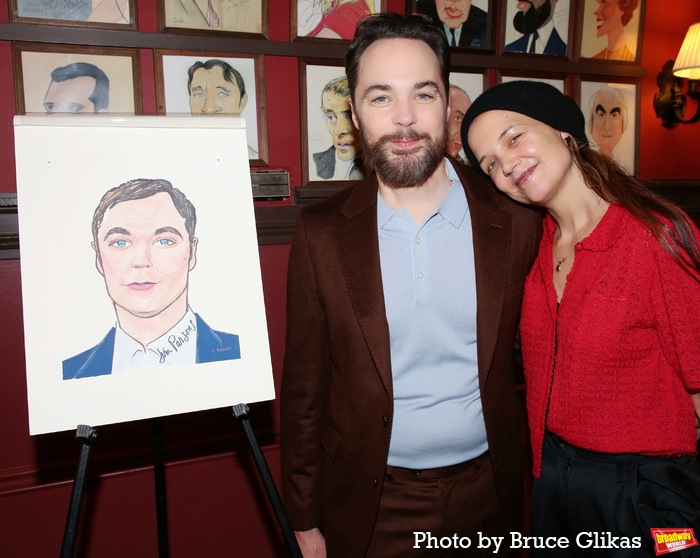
x: 609, y: 370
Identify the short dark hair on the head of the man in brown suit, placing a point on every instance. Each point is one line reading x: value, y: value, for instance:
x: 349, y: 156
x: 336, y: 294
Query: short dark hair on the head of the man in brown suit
x: 391, y: 25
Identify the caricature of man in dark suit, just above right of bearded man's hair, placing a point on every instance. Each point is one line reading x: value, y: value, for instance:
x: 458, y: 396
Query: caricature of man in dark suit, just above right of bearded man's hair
x: 471, y: 28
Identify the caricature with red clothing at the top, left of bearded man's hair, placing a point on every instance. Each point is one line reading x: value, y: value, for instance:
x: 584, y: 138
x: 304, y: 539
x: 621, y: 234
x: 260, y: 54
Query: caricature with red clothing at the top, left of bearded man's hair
x: 308, y: 18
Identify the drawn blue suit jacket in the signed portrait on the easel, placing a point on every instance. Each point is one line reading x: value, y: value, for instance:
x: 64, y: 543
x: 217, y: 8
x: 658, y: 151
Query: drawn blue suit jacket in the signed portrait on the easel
x: 212, y: 346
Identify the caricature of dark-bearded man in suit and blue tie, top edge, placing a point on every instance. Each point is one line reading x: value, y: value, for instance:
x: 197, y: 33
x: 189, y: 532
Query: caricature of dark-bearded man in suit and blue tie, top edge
x: 537, y: 23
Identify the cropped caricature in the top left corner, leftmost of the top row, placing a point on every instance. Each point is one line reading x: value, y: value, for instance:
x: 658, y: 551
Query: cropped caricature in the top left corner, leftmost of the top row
x: 101, y: 14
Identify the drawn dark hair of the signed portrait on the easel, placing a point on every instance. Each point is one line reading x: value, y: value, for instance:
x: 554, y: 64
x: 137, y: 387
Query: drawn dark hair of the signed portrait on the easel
x: 141, y: 188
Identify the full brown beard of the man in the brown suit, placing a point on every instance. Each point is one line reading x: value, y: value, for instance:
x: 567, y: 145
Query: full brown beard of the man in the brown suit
x: 404, y: 168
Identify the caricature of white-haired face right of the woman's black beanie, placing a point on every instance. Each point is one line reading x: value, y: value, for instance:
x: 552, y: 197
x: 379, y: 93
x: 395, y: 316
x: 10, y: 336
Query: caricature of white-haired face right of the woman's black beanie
x: 611, y: 110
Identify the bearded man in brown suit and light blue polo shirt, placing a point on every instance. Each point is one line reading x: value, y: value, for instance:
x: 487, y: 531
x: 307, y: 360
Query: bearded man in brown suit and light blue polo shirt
x: 402, y: 433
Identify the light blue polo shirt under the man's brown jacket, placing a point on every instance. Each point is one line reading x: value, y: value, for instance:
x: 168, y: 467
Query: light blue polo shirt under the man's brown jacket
x: 430, y: 297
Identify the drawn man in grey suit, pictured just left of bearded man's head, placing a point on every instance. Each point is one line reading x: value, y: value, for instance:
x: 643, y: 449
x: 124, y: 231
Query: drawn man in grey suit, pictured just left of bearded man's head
x: 341, y: 161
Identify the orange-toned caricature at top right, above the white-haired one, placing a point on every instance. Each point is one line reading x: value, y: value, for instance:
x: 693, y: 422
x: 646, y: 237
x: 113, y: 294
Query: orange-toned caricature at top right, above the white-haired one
x: 611, y: 30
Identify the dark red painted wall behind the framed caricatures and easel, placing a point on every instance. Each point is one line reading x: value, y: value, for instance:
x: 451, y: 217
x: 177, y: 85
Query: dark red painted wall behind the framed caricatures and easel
x: 216, y: 504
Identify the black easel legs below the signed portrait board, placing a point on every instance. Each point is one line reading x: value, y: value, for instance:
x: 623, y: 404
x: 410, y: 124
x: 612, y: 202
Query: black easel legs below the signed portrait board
x: 86, y: 435
